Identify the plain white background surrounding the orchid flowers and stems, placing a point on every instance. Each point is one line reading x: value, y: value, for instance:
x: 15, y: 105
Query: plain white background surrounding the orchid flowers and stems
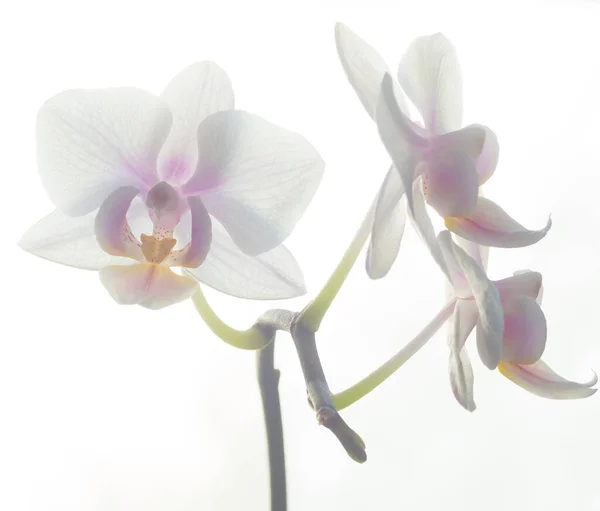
x: 107, y: 407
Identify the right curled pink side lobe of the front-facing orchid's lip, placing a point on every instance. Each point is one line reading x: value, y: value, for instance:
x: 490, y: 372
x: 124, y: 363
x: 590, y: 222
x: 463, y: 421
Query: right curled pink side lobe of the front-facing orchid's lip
x: 195, y: 252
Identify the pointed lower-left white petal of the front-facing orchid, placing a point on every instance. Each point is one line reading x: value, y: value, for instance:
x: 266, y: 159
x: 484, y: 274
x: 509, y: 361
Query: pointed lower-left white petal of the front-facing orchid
x: 68, y: 240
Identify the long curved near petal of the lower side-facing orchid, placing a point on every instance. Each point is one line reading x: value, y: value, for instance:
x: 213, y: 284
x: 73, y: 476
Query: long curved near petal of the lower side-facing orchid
x: 490, y: 326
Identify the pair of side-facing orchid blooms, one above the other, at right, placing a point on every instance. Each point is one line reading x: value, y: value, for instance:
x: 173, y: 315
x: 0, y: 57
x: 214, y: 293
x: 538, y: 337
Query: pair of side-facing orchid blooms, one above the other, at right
x: 440, y: 164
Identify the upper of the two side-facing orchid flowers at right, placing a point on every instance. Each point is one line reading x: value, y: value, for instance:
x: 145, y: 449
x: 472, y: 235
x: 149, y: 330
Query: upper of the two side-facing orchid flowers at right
x: 450, y: 163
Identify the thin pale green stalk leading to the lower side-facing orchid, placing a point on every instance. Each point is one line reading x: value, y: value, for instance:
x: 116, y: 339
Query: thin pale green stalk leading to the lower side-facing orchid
x: 363, y: 387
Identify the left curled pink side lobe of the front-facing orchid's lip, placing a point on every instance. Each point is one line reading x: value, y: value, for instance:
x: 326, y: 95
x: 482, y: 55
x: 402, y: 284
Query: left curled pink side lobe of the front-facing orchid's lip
x: 112, y: 228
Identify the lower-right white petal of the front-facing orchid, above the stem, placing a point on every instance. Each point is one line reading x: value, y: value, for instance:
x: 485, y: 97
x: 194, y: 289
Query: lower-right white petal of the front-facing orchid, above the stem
x: 273, y: 275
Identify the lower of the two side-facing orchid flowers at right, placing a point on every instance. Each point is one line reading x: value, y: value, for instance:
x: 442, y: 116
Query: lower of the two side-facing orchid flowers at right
x: 510, y: 327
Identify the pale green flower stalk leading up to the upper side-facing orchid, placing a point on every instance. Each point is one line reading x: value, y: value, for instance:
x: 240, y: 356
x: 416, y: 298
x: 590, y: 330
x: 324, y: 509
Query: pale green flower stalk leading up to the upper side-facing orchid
x: 312, y: 315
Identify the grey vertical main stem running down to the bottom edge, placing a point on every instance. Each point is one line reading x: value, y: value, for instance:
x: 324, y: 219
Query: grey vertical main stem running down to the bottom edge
x: 268, y: 381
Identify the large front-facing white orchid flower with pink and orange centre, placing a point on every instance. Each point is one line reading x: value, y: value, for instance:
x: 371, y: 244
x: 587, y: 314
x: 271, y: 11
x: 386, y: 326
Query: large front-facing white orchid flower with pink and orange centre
x: 217, y: 190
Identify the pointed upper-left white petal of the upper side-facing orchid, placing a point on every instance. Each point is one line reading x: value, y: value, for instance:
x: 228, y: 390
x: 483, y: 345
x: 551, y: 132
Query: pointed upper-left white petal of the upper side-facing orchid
x: 363, y: 66
